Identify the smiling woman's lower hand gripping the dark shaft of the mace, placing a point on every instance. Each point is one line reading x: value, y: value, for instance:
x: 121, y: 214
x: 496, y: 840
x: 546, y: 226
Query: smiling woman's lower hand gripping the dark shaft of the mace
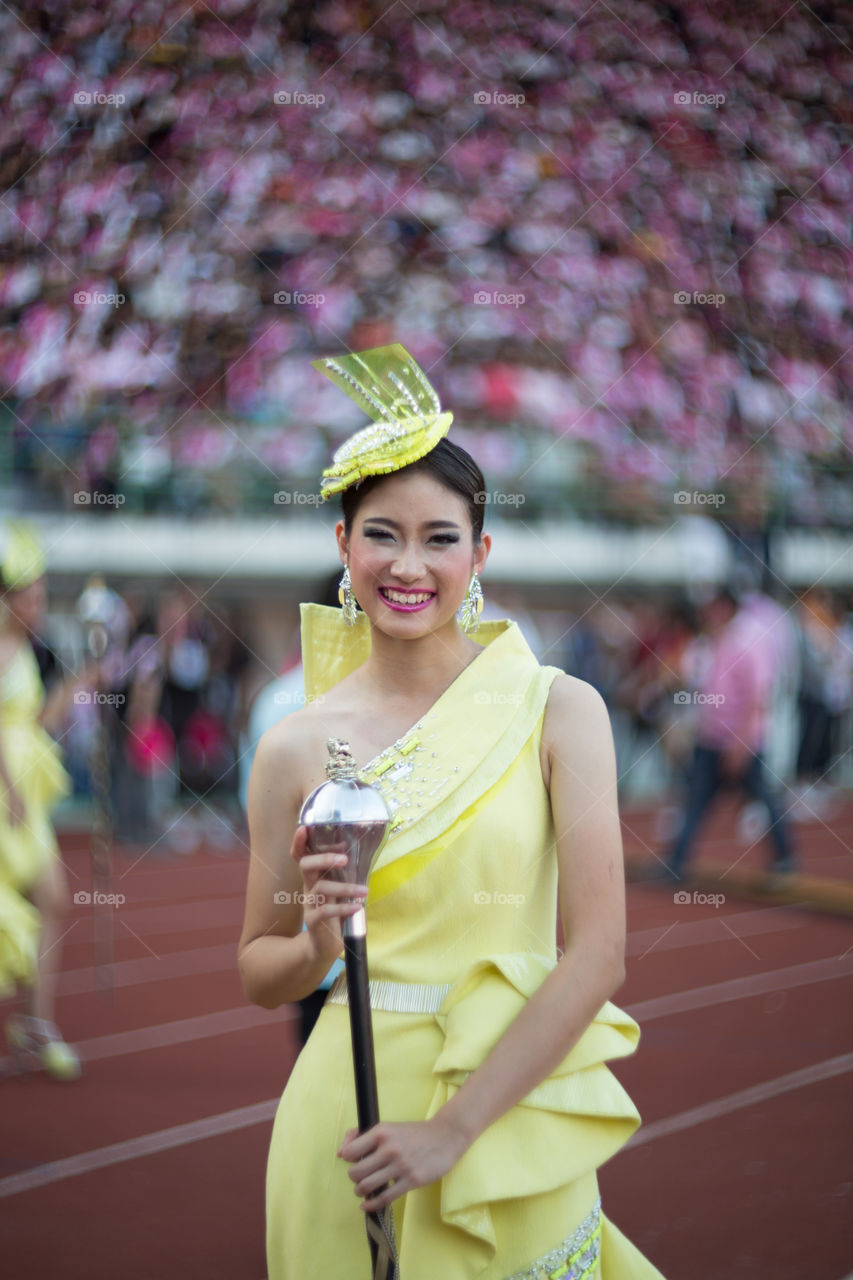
x: 405, y: 1155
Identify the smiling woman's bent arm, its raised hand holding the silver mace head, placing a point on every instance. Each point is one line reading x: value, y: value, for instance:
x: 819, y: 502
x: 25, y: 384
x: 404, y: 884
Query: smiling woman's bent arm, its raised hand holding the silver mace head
x: 279, y: 961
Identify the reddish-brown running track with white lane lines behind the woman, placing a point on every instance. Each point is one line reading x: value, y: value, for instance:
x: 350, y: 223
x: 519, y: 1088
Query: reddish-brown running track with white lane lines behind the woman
x: 153, y: 1165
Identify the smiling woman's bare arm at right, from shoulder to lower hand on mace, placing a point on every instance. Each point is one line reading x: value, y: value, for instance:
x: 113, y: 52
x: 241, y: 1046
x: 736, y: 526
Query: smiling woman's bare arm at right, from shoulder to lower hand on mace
x: 592, y: 904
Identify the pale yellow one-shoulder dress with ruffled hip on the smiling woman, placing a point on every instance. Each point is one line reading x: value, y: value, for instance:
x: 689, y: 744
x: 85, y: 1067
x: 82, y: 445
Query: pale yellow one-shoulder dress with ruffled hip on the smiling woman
x: 462, y: 924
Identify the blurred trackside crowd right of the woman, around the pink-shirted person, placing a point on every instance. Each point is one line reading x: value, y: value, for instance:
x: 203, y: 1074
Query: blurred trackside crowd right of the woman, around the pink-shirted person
x: 653, y: 664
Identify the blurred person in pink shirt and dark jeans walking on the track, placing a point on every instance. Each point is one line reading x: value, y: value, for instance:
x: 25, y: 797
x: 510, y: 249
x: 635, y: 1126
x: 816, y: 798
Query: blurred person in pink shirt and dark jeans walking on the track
x: 733, y: 707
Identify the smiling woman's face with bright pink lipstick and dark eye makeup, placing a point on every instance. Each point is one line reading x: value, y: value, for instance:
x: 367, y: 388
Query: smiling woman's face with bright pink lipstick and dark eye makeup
x: 412, y: 555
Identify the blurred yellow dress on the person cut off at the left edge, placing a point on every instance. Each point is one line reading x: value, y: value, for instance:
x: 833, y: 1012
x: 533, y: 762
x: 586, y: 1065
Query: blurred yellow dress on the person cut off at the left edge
x: 38, y: 775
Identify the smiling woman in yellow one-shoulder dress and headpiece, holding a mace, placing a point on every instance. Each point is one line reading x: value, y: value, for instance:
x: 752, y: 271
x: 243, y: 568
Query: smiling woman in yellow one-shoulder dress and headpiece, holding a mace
x: 500, y: 779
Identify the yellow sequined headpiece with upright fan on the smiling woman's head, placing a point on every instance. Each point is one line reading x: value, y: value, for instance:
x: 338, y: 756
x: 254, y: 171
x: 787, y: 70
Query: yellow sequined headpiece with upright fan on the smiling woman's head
x: 408, y: 420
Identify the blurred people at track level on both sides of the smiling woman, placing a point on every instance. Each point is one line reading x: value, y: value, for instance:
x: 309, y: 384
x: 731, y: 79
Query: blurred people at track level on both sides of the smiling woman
x: 168, y: 711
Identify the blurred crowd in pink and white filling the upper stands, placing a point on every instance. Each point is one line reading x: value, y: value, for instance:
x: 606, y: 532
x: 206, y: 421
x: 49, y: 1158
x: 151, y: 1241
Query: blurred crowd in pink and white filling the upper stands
x: 618, y: 231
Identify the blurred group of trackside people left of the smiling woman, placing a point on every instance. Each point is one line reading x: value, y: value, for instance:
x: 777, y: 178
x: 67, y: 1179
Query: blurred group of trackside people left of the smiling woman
x: 153, y: 729
